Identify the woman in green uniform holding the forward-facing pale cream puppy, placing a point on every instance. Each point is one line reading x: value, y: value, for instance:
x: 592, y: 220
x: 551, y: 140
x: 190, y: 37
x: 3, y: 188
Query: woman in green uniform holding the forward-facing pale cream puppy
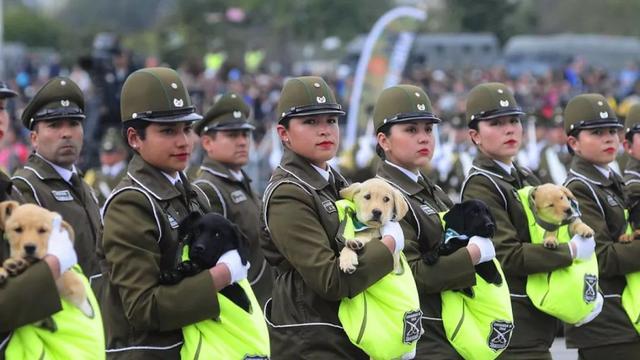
x: 301, y: 223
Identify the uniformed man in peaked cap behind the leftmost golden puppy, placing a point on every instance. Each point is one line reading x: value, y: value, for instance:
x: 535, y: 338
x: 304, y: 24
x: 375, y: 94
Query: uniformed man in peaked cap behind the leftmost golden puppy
x: 50, y: 178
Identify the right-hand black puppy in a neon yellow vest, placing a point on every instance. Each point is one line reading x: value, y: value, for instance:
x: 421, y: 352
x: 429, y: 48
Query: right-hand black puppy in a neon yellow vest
x: 464, y: 220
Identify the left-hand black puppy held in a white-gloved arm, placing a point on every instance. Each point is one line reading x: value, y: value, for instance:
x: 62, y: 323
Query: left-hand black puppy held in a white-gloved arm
x: 208, y: 237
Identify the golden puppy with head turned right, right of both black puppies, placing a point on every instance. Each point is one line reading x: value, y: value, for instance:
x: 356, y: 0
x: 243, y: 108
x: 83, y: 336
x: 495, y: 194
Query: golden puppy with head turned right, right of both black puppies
x: 553, y: 206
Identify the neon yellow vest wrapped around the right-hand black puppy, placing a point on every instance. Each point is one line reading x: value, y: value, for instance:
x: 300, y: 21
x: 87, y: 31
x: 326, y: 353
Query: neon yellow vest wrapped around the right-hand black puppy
x: 479, y: 327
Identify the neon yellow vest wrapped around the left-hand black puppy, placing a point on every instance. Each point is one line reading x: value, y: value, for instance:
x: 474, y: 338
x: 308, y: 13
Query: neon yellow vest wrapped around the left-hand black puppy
x: 235, y: 335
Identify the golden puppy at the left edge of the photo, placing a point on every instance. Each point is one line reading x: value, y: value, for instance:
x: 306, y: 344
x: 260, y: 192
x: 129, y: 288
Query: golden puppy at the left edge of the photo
x: 27, y: 229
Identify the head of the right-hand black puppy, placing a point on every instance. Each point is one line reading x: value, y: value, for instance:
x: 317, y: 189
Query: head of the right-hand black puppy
x: 471, y: 218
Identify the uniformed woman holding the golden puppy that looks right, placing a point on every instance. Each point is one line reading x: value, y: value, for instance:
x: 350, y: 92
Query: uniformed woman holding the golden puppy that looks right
x: 493, y: 117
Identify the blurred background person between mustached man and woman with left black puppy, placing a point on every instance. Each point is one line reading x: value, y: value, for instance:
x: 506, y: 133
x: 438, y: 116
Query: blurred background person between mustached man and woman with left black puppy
x: 113, y: 161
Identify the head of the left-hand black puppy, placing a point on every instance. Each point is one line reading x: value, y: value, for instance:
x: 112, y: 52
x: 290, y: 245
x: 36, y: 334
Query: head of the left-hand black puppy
x: 213, y: 236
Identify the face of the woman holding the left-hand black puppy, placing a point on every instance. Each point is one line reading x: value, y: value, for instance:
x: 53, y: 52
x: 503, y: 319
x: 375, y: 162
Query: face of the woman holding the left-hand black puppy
x: 165, y: 146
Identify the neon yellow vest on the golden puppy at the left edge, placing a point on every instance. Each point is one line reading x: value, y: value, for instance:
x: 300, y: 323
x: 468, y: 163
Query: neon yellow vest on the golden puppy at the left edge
x: 77, y: 336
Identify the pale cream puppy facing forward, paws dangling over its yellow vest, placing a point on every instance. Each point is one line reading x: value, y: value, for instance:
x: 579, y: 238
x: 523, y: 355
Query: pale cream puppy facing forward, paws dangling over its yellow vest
x: 376, y: 203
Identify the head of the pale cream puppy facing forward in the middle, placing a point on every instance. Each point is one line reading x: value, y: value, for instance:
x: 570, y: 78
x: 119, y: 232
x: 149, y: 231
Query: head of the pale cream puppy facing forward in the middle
x: 376, y: 202
